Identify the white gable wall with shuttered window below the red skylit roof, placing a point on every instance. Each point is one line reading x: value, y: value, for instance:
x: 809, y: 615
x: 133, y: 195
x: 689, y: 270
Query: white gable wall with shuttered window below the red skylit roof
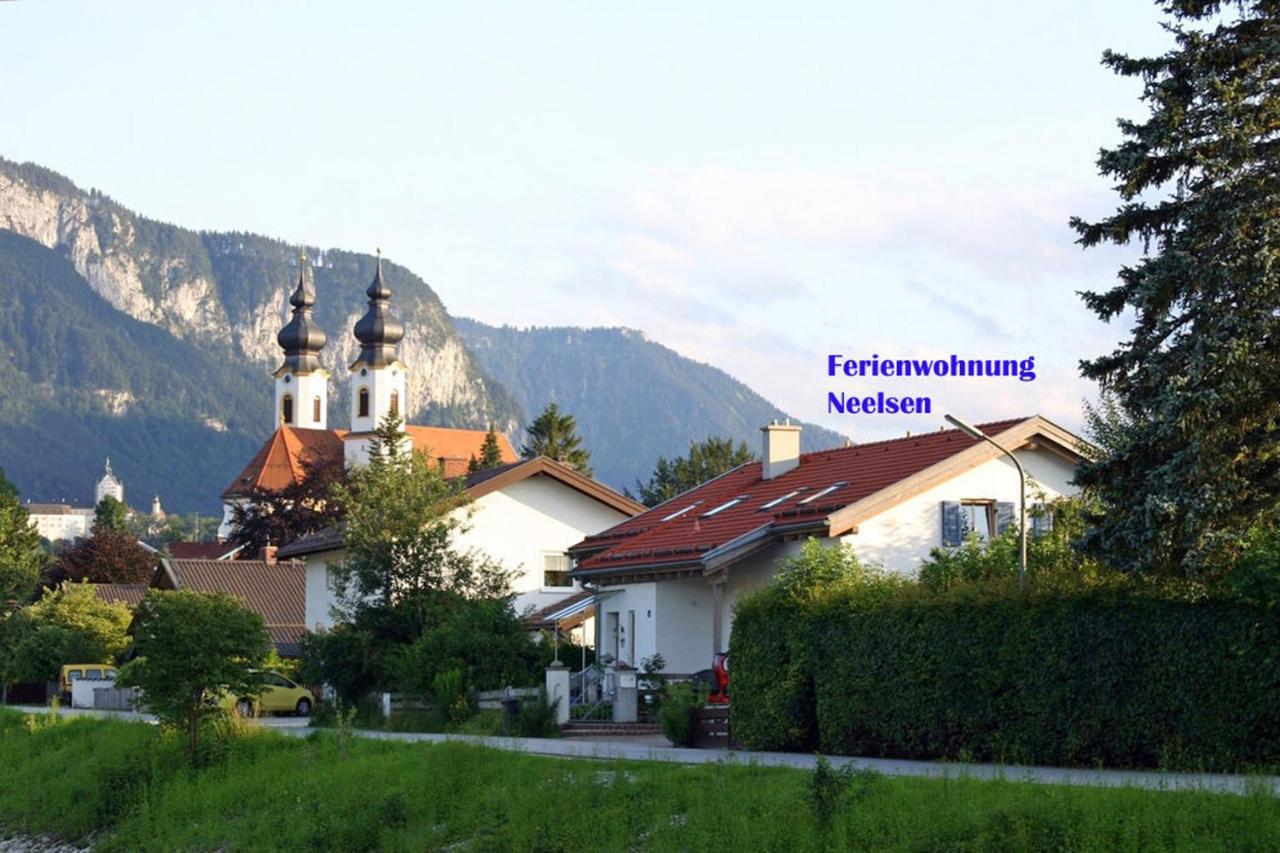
x: 902, y: 537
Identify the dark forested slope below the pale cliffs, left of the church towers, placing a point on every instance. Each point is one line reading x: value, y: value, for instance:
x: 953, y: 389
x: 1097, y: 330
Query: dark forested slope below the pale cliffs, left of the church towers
x: 83, y: 381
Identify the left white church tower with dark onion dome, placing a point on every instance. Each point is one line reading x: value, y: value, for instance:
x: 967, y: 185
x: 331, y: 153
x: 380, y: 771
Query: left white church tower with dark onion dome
x: 301, y: 384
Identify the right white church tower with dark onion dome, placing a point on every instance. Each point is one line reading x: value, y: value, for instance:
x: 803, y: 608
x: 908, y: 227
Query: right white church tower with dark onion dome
x: 377, y: 376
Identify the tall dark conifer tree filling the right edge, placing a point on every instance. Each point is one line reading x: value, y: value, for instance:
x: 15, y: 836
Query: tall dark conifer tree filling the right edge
x: 1195, y: 460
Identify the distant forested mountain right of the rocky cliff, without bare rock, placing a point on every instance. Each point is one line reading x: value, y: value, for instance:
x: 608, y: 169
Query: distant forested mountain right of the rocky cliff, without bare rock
x: 634, y: 399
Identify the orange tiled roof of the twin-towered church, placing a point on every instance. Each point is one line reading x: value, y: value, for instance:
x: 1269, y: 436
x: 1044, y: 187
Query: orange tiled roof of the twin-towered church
x: 281, y: 460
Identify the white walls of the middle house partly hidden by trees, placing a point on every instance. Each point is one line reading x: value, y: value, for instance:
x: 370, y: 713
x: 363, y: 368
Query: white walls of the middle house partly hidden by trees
x: 515, y: 526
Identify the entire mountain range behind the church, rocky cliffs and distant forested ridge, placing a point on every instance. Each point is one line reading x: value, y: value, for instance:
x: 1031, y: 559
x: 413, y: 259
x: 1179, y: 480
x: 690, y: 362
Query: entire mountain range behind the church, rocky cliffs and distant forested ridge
x: 154, y: 345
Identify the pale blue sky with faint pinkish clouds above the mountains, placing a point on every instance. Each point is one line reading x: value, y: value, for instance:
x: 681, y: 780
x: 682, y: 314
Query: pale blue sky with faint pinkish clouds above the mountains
x: 757, y: 186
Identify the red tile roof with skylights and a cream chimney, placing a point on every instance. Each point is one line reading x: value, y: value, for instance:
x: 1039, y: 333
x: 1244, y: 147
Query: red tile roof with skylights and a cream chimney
x: 679, y: 533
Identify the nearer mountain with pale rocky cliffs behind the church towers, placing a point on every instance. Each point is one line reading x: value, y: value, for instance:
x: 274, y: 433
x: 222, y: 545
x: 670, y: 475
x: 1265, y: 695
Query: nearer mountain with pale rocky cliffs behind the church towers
x: 163, y: 340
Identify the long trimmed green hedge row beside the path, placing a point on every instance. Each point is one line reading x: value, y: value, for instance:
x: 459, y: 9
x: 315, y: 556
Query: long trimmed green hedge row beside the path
x: 1068, y: 678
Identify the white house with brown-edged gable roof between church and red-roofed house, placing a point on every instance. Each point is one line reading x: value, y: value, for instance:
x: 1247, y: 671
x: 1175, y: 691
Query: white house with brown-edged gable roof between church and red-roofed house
x: 524, y: 516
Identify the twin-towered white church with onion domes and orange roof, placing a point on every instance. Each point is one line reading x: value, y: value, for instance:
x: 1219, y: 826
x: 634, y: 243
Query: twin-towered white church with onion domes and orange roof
x: 378, y: 389
